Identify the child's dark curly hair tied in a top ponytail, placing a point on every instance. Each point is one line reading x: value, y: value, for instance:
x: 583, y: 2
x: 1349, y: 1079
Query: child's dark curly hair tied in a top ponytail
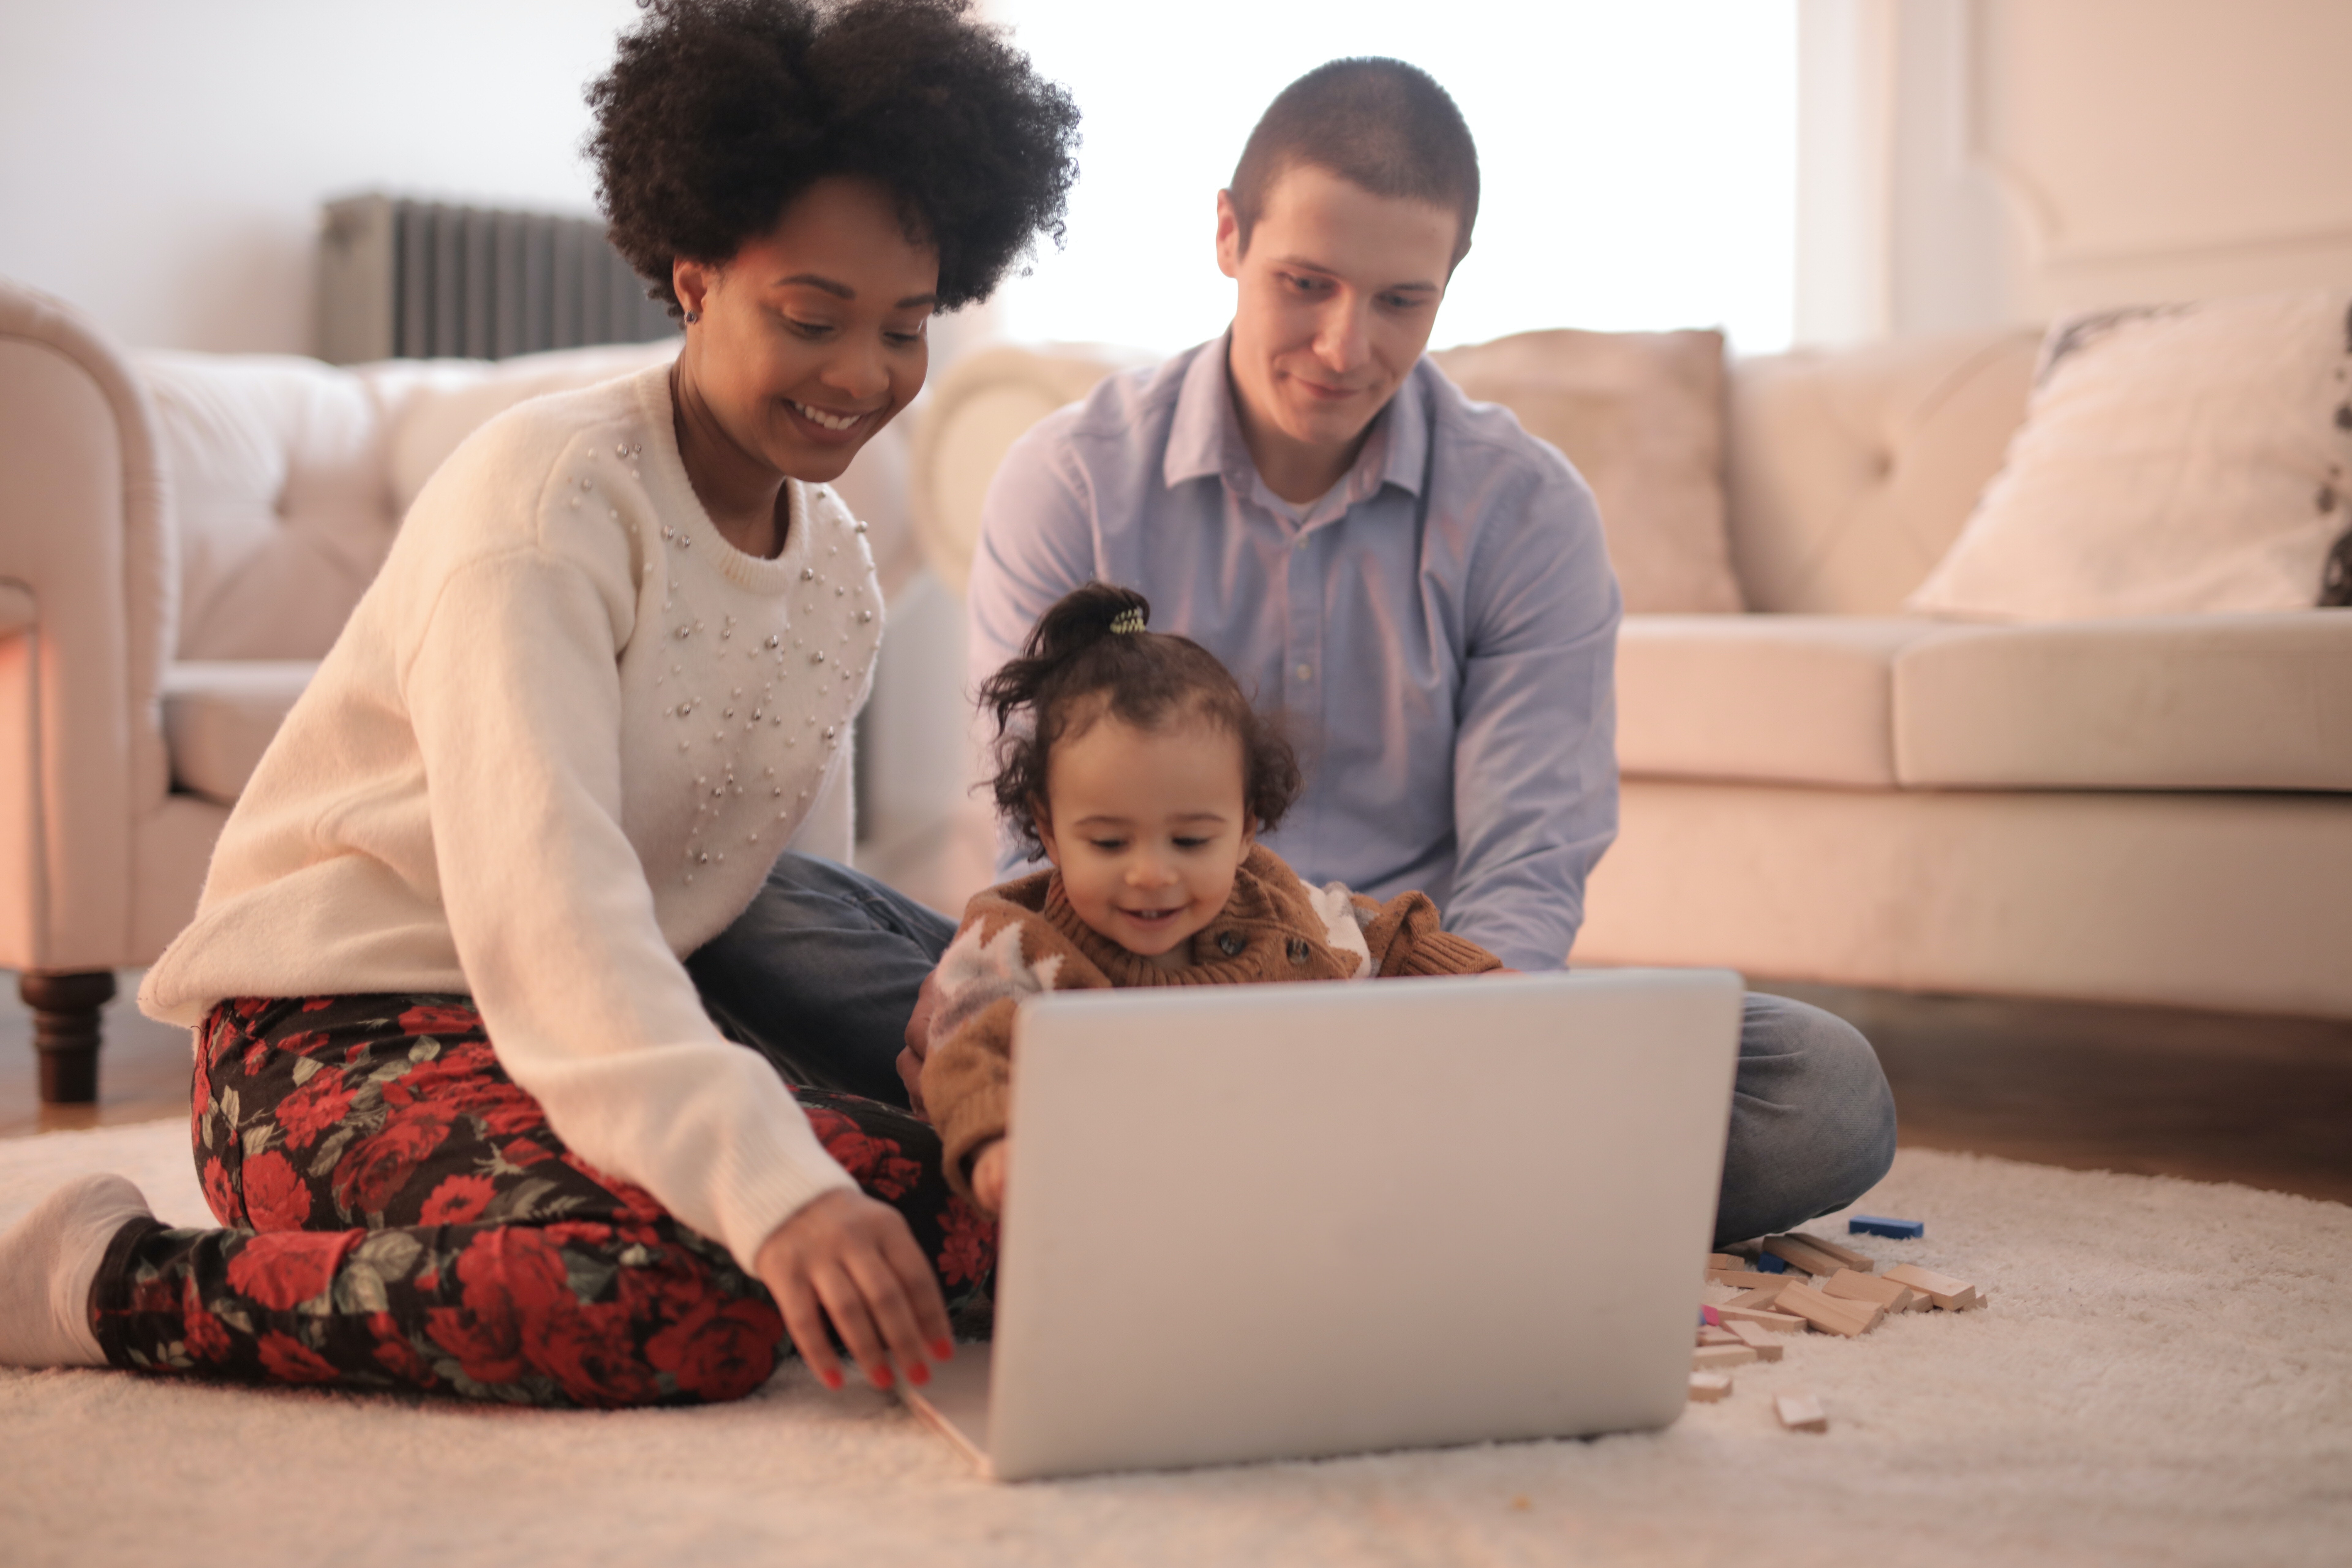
x: 1093, y: 643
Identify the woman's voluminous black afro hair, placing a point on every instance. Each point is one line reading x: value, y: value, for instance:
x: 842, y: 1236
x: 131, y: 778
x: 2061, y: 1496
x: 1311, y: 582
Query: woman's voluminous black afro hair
x: 716, y: 114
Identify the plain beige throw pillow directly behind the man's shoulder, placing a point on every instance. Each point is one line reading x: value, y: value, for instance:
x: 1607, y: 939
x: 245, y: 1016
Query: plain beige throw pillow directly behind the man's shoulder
x: 1643, y: 420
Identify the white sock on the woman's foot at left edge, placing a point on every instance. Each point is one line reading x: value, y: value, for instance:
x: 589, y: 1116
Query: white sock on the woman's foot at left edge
x: 48, y: 1266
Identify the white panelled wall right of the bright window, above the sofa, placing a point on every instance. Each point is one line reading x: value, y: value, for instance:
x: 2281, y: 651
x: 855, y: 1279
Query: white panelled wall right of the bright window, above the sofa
x: 1977, y: 163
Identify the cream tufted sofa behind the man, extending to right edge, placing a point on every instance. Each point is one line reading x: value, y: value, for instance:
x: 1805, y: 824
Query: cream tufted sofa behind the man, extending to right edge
x: 1831, y: 791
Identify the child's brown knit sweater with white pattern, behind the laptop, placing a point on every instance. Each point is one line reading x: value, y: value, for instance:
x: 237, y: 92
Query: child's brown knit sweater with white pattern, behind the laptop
x: 1024, y: 937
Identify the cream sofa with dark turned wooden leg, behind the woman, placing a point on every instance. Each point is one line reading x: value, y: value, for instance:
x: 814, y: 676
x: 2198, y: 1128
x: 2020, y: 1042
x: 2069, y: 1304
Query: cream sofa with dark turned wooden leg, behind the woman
x: 180, y: 542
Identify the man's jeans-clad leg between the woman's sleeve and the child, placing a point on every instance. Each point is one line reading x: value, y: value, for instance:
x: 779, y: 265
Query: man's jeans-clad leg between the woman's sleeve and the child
x: 820, y: 974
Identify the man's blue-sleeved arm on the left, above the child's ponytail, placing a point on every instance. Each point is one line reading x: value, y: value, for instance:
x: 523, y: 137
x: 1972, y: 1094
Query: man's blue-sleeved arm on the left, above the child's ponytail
x: 1036, y: 547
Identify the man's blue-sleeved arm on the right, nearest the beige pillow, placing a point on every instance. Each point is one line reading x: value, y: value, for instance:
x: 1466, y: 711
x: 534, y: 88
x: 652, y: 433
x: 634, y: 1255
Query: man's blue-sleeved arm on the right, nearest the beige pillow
x: 1535, y: 742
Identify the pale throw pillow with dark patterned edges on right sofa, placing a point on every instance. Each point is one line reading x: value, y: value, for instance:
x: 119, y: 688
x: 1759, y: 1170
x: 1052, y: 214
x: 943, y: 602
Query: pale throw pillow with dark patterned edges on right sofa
x: 2174, y: 460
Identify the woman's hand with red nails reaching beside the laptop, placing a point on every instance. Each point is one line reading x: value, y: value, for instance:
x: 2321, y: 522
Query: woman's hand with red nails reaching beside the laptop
x: 853, y: 1259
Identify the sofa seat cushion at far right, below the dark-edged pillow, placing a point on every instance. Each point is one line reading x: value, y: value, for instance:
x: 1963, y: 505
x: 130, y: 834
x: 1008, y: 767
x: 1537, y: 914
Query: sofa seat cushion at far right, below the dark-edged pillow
x: 2144, y: 704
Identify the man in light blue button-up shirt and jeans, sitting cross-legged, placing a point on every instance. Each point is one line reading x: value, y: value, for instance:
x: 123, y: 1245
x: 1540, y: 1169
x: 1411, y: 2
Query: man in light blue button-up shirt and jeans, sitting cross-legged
x: 1410, y: 579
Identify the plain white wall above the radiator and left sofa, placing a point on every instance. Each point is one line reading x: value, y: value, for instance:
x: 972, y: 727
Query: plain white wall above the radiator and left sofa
x: 161, y: 163
